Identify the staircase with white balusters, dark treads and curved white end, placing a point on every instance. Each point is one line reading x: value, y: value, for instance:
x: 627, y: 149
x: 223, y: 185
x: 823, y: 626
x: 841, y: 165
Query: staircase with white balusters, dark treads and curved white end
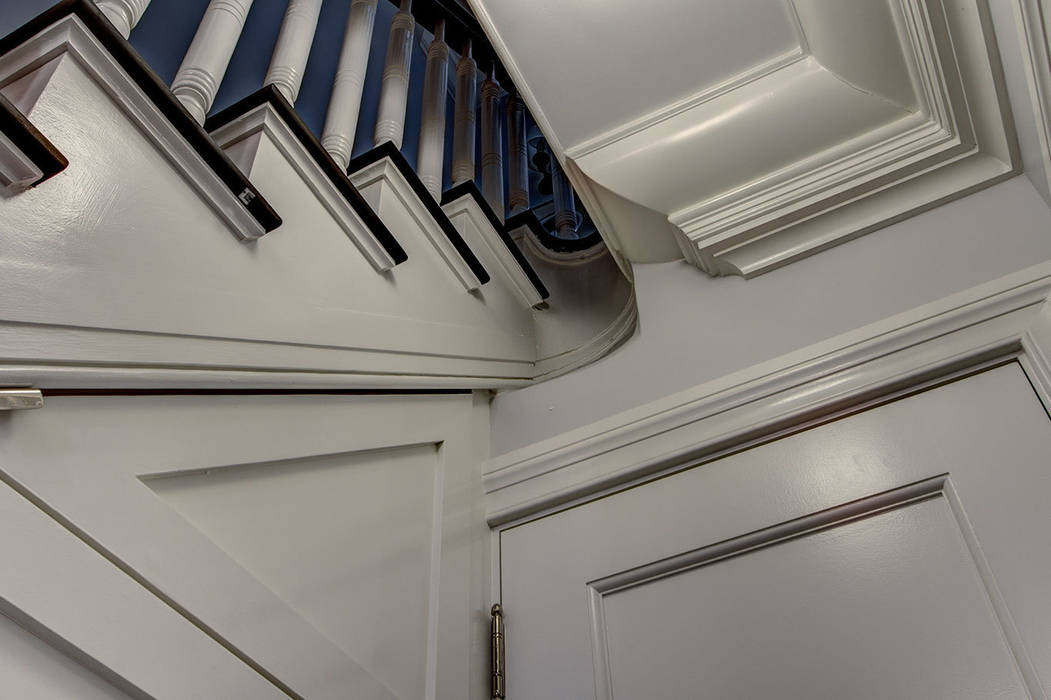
x: 154, y: 242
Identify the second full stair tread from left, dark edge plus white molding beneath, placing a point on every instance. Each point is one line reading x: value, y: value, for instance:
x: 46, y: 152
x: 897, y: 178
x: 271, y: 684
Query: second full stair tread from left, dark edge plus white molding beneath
x: 269, y: 112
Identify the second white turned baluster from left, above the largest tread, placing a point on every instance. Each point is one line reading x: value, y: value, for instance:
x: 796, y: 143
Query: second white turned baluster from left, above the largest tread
x: 202, y: 71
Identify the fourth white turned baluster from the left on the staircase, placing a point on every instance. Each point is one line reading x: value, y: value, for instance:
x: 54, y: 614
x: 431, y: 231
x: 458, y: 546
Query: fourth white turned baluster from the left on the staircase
x: 345, y: 104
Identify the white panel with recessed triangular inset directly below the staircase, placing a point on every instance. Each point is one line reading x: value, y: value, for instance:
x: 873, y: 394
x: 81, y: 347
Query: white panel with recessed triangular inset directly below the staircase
x: 336, y: 542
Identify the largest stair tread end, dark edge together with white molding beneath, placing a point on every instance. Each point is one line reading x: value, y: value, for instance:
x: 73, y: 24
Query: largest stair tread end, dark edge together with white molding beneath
x: 78, y: 30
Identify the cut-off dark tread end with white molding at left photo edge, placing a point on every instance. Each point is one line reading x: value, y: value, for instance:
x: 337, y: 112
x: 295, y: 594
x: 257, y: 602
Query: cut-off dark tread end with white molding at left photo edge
x: 27, y: 157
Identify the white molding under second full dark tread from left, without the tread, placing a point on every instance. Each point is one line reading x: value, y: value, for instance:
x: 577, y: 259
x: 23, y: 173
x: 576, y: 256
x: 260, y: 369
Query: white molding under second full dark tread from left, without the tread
x: 265, y: 120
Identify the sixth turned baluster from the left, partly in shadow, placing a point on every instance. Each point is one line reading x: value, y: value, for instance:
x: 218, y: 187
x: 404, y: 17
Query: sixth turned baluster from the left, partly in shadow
x: 432, y: 128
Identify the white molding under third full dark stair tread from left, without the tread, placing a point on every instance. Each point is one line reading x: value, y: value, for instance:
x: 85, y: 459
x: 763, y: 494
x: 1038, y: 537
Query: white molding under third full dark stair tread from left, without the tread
x: 382, y: 178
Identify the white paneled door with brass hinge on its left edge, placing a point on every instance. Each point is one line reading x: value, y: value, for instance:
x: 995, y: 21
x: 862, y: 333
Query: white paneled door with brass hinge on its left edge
x: 857, y: 542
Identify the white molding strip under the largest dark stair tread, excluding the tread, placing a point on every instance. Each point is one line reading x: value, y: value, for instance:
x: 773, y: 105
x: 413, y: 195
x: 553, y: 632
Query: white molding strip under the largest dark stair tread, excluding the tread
x: 26, y: 74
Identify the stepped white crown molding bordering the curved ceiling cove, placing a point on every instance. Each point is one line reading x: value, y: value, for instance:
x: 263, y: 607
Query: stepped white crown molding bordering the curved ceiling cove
x: 737, y: 234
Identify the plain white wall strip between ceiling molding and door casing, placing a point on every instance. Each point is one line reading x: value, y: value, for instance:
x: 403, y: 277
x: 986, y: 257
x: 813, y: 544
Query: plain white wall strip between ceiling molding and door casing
x: 694, y: 328
